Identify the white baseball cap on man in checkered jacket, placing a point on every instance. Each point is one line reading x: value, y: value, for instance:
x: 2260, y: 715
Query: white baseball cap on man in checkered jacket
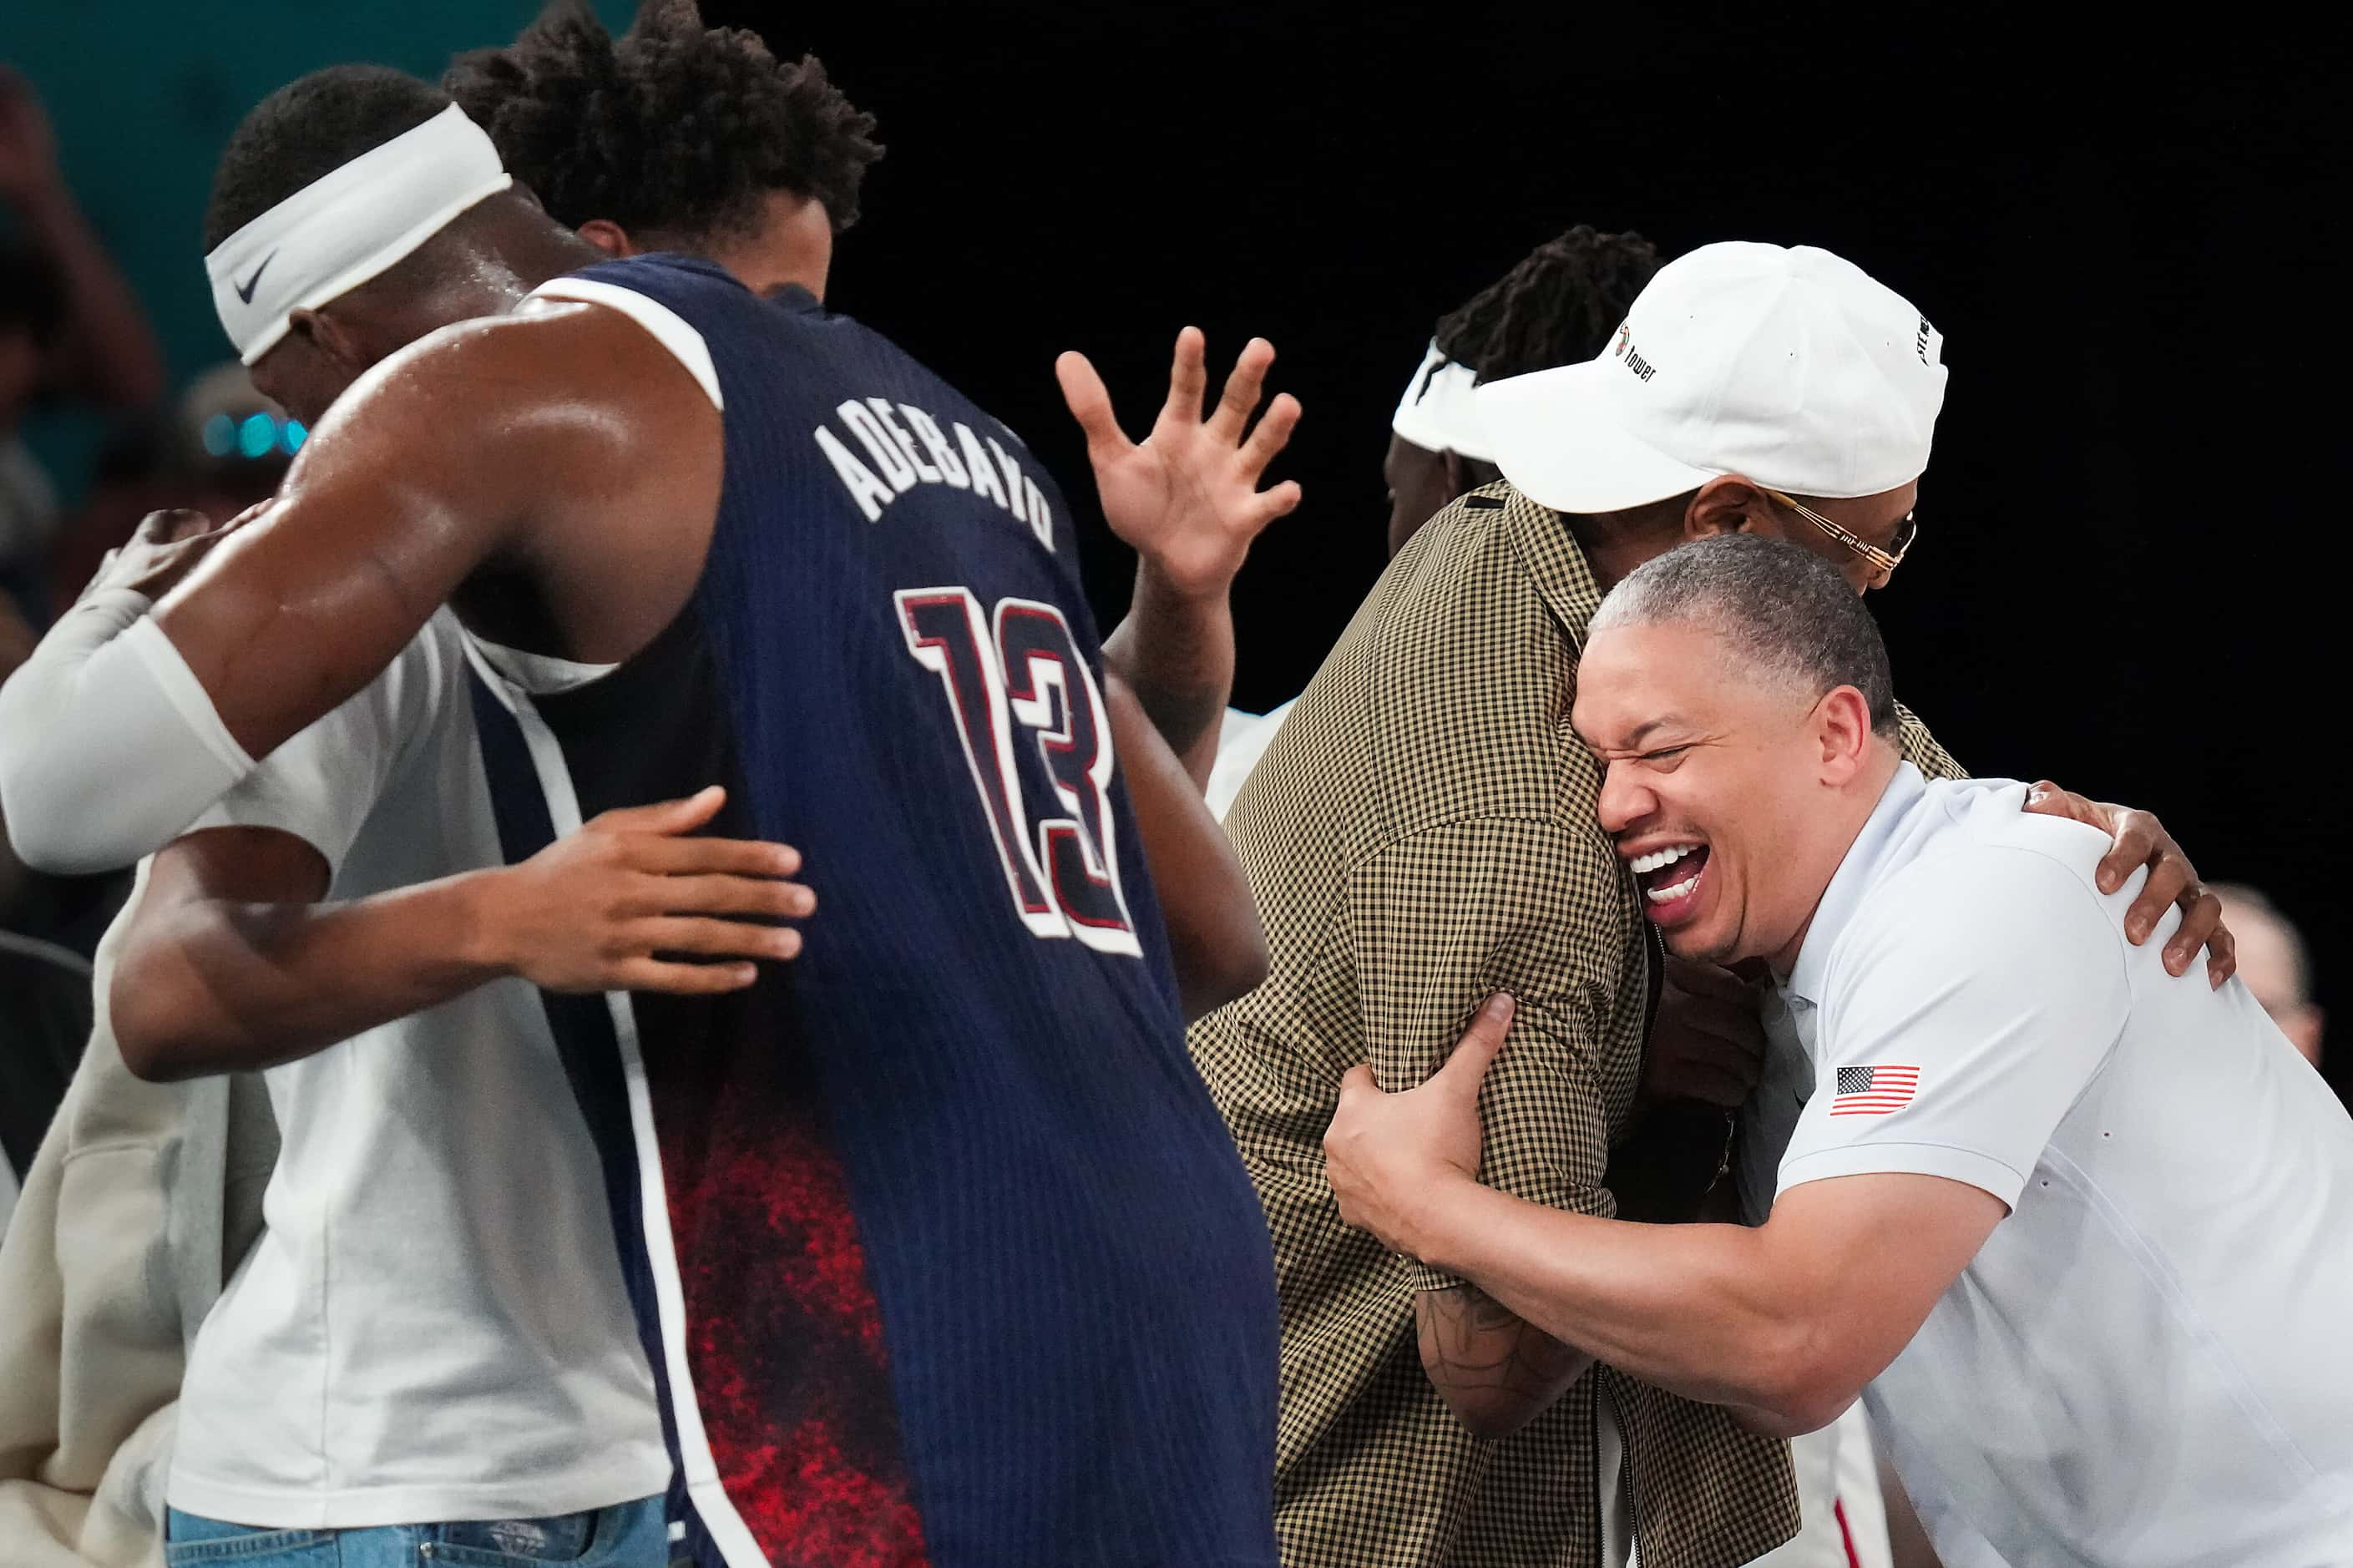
x: 1785, y: 366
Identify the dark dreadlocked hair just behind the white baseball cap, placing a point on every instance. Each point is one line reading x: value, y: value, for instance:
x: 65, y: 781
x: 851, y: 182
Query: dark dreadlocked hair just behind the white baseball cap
x: 1557, y: 307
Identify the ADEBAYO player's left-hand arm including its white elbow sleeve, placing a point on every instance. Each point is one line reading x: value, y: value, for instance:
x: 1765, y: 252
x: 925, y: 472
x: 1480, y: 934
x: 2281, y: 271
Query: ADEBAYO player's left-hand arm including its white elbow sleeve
x: 434, y: 463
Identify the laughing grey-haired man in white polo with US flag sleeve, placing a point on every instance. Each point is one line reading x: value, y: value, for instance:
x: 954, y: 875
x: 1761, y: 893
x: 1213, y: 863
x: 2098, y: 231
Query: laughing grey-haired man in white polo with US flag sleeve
x: 2084, y: 1233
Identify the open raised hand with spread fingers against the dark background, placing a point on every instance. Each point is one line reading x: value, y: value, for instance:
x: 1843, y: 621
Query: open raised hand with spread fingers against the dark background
x: 1189, y: 493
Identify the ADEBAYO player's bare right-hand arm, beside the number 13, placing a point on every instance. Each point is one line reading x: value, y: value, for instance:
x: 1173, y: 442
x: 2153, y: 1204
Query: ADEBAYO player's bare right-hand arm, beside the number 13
x: 1215, y: 936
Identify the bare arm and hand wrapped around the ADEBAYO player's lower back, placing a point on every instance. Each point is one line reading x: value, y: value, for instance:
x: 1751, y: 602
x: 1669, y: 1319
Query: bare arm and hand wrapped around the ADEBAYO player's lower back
x: 232, y: 962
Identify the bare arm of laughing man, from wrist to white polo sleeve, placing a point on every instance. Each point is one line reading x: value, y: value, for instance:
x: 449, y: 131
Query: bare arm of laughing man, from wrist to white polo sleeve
x: 1785, y: 1322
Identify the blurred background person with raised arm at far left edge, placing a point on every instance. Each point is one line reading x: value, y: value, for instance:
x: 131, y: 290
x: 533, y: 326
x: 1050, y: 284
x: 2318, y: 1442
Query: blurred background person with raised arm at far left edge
x: 69, y: 328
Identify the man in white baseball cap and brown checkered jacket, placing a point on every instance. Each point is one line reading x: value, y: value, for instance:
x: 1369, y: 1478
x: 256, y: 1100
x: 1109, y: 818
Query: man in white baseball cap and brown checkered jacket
x: 1422, y: 835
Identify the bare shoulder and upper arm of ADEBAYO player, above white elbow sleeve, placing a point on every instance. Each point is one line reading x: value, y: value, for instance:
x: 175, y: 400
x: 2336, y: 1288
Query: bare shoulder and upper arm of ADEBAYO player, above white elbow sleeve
x: 542, y: 441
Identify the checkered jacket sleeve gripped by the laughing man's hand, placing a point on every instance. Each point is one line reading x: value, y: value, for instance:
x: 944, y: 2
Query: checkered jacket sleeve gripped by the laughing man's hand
x: 1448, y: 917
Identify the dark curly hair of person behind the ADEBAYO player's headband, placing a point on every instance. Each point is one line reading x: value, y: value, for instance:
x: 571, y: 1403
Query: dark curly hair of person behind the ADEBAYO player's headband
x: 672, y: 128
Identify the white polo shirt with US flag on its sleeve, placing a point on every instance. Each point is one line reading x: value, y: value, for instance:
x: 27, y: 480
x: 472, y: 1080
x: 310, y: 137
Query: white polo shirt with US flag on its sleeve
x: 2149, y: 1362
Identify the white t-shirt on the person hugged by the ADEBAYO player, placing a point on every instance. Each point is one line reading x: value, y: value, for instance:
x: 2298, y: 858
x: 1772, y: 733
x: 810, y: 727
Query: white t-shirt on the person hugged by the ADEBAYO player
x: 434, y: 1324
